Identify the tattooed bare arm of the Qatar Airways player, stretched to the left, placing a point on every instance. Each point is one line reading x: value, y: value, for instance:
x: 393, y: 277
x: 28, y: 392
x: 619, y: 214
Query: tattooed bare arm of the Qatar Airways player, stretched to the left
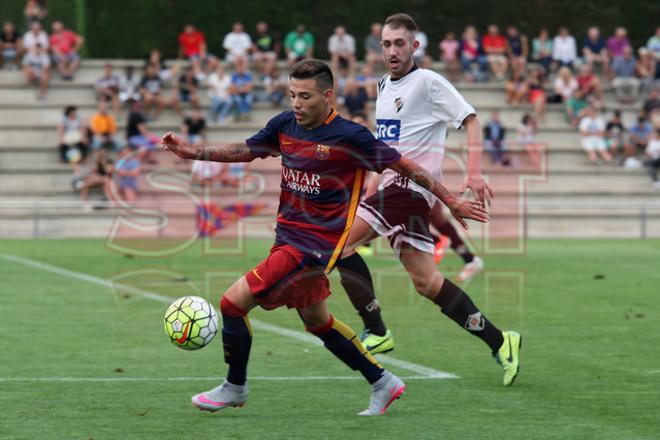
x: 237, y: 152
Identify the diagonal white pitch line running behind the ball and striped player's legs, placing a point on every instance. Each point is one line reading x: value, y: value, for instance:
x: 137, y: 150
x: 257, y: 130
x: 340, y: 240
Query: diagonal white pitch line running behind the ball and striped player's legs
x: 410, y: 366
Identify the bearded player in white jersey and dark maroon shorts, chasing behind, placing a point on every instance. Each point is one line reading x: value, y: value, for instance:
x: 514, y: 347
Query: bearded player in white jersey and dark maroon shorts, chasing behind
x: 414, y: 108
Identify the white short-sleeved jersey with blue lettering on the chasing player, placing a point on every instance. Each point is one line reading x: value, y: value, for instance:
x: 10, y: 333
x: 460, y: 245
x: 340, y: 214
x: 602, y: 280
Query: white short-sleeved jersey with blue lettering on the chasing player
x: 412, y: 114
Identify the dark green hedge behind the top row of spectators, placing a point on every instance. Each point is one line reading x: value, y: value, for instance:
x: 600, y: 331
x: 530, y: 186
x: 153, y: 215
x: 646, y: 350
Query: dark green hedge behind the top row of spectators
x: 130, y: 28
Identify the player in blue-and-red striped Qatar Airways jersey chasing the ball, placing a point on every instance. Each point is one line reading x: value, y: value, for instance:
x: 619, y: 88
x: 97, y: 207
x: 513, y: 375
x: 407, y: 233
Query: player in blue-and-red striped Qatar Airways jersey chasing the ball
x: 324, y: 160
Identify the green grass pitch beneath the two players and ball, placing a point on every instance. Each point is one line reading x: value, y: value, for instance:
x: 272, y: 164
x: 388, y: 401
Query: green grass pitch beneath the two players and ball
x: 82, y: 361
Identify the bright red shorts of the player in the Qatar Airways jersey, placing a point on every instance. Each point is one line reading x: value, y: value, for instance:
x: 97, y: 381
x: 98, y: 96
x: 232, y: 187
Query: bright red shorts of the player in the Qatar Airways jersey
x: 286, y: 278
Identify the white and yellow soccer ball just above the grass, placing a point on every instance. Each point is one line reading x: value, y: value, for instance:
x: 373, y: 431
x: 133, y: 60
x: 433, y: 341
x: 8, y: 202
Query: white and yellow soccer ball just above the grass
x: 191, y: 322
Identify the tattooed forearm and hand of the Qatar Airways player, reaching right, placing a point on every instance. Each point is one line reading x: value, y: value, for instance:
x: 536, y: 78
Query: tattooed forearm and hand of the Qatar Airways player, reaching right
x: 461, y: 208
